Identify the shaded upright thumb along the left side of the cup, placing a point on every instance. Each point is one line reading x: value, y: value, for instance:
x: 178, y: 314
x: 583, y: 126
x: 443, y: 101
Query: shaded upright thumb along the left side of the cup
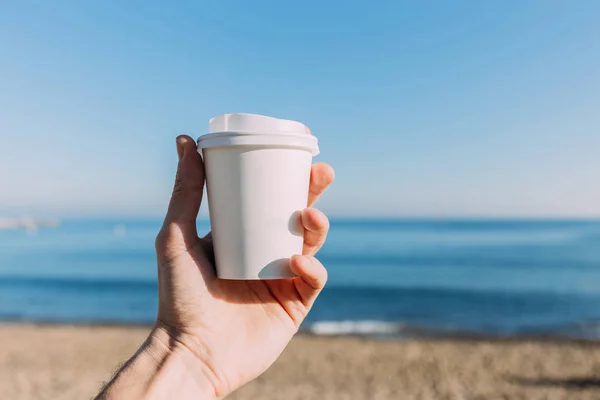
x: 189, y: 183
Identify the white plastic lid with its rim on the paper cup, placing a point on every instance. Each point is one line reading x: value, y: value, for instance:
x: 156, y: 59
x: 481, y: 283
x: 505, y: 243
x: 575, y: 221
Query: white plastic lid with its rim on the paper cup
x: 257, y: 130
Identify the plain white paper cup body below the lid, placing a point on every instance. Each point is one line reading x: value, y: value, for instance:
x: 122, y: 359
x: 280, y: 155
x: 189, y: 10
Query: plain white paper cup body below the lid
x: 255, y: 195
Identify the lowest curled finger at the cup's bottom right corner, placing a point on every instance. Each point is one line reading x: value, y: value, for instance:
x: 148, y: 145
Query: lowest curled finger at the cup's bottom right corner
x: 311, y: 278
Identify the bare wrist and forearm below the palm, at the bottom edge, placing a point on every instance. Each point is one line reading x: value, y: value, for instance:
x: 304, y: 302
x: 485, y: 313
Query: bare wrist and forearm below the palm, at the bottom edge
x: 159, y: 370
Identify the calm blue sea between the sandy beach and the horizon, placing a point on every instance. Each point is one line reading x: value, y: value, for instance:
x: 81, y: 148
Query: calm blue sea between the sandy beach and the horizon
x: 386, y: 277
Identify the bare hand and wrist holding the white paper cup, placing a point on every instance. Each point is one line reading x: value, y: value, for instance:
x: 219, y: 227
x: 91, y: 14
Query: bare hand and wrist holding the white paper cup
x: 212, y: 336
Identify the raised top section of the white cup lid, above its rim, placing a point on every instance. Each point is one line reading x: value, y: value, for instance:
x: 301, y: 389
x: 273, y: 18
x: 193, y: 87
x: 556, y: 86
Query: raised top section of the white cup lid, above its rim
x: 253, y: 123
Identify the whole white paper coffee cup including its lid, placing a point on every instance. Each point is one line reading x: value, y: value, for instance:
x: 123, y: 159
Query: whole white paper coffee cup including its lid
x: 257, y: 176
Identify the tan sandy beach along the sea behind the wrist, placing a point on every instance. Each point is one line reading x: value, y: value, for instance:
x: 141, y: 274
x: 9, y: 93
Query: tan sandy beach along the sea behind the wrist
x: 65, y: 362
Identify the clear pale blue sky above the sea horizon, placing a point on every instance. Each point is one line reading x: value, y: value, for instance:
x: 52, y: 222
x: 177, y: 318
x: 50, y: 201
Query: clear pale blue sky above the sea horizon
x: 424, y: 108
